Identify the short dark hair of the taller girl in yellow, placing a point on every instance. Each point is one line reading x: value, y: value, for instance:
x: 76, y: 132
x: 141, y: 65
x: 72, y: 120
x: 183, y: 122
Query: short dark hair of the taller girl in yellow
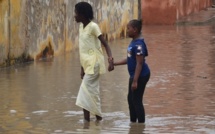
x: 85, y: 9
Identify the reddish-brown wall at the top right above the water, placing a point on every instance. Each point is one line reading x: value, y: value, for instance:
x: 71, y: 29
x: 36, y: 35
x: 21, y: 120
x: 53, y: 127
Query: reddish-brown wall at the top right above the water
x: 169, y: 11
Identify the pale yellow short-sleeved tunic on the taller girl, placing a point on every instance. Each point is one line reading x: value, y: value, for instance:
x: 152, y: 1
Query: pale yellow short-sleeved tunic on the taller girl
x: 90, y: 49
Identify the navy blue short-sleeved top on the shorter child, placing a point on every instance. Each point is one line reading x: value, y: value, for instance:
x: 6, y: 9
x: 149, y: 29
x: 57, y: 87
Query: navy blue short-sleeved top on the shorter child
x: 137, y: 47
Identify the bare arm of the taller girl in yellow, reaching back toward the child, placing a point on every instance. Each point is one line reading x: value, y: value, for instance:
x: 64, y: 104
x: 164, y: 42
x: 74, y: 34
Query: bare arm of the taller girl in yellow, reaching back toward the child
x: 108, y: 51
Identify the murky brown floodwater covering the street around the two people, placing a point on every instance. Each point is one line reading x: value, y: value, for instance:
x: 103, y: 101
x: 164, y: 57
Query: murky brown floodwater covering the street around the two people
x: 39, y: 97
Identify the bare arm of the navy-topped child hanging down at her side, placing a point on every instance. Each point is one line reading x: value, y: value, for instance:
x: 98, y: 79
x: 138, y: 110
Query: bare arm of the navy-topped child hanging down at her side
x: 140, y: 61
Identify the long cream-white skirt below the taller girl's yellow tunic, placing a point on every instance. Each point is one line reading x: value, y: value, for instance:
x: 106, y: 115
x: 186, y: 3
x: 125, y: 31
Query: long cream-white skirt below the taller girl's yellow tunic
x: 89, y: 94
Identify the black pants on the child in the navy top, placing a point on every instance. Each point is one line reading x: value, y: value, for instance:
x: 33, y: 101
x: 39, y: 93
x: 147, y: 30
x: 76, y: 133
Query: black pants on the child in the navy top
x: 135, y: 100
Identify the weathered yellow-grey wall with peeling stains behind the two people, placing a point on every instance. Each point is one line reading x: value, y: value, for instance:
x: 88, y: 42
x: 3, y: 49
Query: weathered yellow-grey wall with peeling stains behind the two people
x: 32, y: 29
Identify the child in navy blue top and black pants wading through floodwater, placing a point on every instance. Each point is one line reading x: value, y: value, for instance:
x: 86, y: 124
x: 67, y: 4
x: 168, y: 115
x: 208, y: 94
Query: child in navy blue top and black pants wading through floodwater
x: 138, y: 70
